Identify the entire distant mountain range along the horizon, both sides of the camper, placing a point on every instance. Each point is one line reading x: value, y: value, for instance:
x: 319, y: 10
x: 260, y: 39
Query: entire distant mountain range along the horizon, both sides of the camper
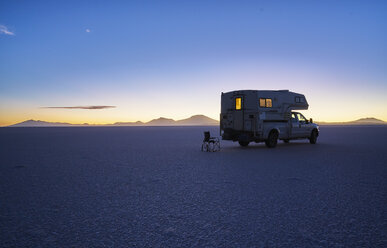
x: 196, y: 120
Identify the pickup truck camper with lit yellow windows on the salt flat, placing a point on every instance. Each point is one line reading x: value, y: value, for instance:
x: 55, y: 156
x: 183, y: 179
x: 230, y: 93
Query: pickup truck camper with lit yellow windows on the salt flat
x: 265, y: 115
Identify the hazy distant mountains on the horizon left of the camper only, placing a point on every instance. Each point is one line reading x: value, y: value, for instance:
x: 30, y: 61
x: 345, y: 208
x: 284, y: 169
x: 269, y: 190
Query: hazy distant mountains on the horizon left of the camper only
x: 196, y: 120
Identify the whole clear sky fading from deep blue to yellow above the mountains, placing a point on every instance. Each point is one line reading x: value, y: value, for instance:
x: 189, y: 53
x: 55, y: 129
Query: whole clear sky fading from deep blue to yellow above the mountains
x: 174, y: 58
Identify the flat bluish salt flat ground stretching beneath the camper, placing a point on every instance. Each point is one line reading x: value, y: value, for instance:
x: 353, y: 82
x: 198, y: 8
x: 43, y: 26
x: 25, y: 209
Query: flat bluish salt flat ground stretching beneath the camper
x: 153, y: 187
